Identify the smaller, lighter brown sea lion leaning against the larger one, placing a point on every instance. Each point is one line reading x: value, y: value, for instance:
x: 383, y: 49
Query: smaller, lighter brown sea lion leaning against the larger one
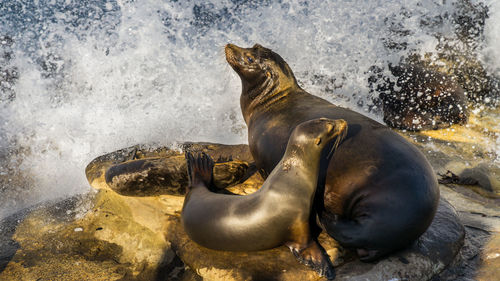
x: 278, y: 213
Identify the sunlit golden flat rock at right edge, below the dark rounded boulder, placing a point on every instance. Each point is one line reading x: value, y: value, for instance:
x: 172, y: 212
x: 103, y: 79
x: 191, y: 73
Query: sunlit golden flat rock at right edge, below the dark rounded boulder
x: 465, y: 151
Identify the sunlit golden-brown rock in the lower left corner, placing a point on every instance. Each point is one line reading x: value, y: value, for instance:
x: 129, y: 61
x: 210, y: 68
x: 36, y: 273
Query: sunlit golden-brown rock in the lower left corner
x: 107, y: 240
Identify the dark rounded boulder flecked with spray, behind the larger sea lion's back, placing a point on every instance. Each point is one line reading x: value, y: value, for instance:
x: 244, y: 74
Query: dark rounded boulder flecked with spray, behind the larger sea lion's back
x: 420, y: 98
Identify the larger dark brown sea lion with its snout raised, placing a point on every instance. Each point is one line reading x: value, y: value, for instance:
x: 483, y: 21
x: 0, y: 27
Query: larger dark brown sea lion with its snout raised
x: 380, y: 193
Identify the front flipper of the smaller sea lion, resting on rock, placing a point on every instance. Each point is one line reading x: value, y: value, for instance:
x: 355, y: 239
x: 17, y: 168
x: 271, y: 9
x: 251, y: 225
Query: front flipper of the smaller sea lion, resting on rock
x: 315, y: 257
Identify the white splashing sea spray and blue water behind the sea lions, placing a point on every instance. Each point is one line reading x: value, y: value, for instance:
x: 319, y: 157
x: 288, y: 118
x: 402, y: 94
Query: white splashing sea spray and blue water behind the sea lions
x: 91, y: 77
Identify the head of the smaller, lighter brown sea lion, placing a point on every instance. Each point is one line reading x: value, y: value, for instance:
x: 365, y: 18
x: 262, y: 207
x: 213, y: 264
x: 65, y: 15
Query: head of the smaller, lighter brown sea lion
x: 316, y: 134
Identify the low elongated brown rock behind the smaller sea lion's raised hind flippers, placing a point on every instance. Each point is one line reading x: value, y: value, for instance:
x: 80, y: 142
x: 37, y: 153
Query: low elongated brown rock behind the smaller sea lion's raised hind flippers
x: 145, y: 171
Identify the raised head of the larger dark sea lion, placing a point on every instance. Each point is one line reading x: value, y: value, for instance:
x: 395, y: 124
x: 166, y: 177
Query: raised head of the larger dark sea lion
x: 259, y: 68
